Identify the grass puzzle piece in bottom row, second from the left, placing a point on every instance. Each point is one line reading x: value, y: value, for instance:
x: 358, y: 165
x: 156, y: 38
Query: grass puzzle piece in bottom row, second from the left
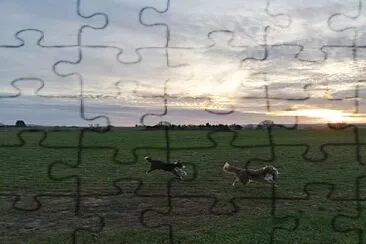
x: 122, y: 212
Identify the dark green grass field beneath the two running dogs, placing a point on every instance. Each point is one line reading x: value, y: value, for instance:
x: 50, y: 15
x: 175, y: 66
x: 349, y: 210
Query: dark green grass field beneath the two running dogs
x: 310, y: 195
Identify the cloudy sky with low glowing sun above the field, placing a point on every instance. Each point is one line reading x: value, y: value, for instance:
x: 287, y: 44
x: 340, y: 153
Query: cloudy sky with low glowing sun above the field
x: 98, y: 62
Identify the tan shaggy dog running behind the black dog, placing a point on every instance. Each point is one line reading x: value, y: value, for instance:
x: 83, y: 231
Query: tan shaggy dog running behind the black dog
x: 266, y: 174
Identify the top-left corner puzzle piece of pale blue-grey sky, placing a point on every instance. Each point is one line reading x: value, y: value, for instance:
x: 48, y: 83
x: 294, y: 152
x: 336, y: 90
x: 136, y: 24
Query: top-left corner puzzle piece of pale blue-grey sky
x: 47, y: 17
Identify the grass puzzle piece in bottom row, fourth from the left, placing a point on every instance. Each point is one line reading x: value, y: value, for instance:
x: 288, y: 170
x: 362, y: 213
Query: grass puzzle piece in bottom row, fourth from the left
x: 315, y: 213
